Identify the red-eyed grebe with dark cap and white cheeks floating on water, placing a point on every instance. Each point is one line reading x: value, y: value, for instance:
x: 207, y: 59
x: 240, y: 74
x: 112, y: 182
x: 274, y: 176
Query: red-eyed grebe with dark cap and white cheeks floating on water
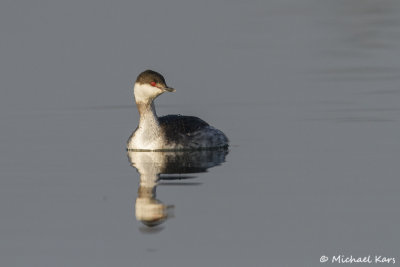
x: 171, y: 132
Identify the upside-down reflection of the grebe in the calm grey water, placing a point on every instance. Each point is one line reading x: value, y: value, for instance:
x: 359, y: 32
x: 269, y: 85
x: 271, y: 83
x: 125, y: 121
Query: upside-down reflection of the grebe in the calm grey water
x: 150, y: 165
